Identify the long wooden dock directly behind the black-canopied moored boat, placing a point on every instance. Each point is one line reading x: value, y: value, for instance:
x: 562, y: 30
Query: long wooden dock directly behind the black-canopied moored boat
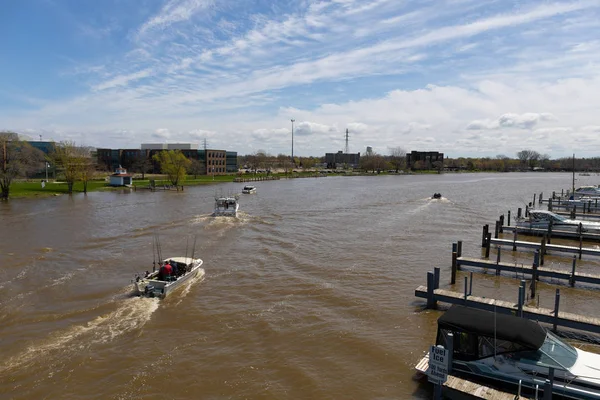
x: 564, y: 319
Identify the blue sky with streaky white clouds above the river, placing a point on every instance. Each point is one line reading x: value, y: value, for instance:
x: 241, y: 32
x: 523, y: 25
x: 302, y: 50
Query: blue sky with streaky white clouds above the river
x: 469, y: 78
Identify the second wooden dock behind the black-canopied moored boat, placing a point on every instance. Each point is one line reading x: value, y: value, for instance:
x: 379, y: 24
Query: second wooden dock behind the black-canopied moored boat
x: 572, y: 277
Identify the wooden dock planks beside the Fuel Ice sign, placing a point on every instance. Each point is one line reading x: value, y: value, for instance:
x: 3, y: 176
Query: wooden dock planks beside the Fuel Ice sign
x: 459, y: 388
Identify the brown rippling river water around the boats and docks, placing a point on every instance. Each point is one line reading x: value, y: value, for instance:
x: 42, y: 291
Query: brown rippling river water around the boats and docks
x: 308, y: 295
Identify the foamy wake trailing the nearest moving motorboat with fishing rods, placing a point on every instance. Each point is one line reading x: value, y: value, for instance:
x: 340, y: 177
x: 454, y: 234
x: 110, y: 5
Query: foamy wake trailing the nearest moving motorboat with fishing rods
x: 132, y: 313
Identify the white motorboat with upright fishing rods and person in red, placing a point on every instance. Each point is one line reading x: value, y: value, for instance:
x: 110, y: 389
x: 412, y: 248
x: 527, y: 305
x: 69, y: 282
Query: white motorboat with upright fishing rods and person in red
x: 159, y: 284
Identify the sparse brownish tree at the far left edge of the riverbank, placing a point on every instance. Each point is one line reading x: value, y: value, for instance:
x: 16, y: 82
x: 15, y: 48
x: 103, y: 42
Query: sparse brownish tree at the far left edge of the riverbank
x: 17, y: 158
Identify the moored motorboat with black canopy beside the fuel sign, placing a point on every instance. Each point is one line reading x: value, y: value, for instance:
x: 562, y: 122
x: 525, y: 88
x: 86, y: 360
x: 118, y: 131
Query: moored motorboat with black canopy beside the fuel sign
x: 513, y: 351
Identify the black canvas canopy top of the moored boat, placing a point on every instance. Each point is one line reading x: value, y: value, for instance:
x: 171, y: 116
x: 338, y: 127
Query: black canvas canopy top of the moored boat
x: 486, y: 323
